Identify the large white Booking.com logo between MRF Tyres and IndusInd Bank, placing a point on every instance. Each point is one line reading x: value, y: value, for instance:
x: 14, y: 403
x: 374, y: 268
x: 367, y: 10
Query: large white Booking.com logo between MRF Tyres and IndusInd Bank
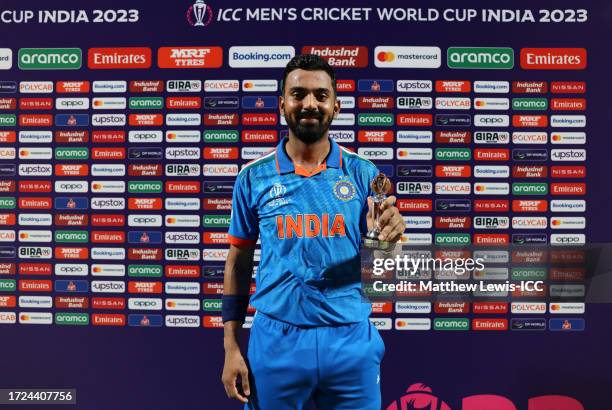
x: 260, y: 57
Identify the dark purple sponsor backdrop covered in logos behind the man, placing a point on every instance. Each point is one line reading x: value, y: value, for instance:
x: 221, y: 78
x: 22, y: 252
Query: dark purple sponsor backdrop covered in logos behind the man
x: 122, y: 128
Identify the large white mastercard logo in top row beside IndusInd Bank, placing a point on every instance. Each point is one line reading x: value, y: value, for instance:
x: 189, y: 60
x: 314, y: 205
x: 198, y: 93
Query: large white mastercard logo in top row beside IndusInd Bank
x: 407, y: 57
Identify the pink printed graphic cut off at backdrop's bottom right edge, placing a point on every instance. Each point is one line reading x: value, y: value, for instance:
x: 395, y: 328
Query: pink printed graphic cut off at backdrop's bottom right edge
x: 419, y: 397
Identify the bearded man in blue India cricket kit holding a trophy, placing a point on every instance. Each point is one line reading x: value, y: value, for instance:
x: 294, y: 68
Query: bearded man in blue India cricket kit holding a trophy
x: 309, y: 203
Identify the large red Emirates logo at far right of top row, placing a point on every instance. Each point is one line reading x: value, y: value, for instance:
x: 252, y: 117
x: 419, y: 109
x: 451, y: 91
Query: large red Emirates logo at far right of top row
x: 553, y: 58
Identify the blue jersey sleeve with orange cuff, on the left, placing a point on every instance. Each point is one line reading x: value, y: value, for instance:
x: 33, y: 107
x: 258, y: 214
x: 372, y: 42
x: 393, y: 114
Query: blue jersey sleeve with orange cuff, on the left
x: 244, y: 229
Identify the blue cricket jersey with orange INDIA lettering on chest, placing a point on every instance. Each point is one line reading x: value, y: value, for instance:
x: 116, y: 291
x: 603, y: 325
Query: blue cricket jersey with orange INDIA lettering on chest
x: 310, y: 225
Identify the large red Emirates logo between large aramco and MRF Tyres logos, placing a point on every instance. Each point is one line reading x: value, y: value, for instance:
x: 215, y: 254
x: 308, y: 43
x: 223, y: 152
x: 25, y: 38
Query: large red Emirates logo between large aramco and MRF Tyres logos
x: 120, y: 57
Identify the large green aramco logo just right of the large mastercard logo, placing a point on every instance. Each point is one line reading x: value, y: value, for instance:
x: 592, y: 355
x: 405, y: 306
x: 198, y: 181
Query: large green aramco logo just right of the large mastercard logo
x: 480, y: 58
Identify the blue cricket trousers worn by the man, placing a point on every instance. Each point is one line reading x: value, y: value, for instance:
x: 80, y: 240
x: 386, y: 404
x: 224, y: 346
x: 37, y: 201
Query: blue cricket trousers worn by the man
x: 338, y: 367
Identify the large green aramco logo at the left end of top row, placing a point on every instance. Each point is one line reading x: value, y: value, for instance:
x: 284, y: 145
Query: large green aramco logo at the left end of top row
x: 50, y: 58
